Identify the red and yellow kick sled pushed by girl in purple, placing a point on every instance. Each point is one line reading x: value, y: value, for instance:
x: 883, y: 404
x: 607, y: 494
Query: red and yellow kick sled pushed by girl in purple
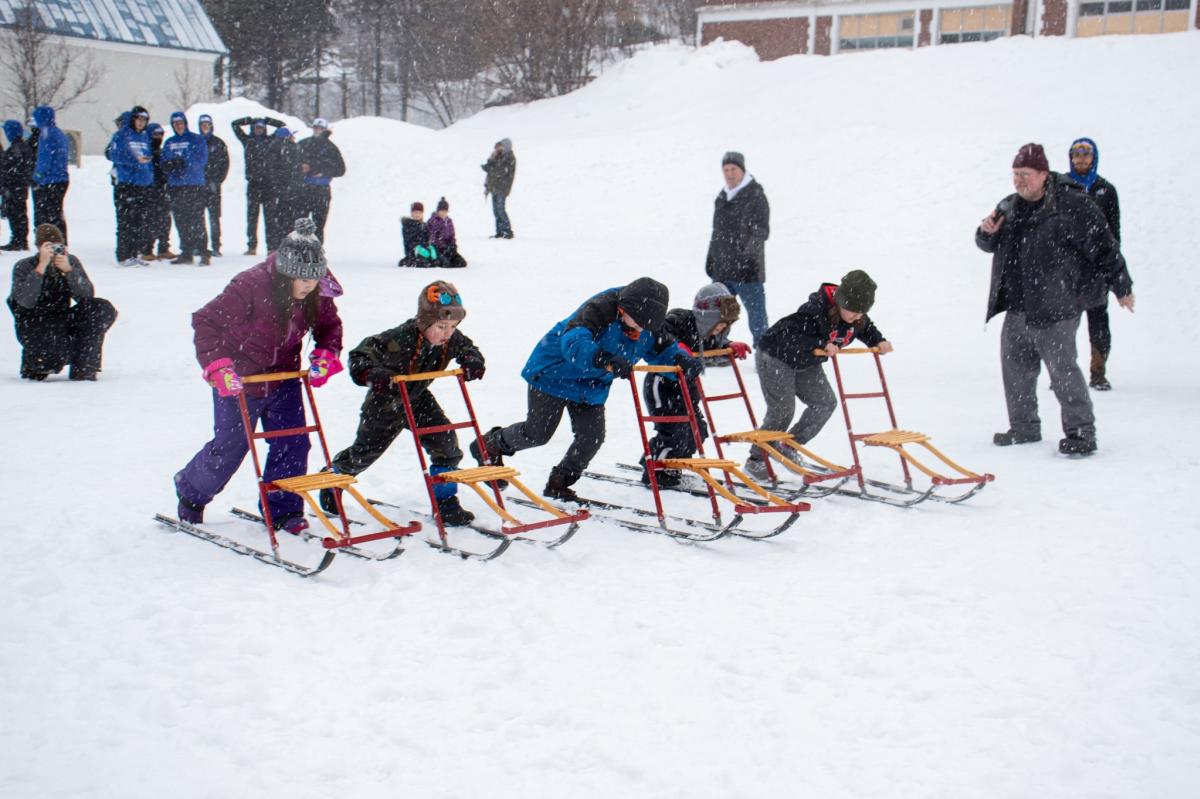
x: 334, y: 538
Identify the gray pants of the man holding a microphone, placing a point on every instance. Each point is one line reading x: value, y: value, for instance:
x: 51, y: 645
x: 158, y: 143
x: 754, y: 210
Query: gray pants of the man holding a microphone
x: 1023, y: 350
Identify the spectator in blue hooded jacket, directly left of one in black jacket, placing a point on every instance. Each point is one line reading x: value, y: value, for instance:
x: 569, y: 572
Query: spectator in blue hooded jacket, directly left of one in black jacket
x: 184, y: 158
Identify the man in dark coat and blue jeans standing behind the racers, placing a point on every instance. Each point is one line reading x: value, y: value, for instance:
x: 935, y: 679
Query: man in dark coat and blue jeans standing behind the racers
x: 737, y: 254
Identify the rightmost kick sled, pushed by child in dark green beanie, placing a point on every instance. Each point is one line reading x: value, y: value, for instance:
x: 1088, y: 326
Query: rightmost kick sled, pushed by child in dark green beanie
x: 897, y: 440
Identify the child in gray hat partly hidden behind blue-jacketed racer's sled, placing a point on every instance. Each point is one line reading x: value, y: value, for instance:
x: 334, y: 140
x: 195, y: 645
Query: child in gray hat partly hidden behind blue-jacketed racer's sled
x: 712, y: 314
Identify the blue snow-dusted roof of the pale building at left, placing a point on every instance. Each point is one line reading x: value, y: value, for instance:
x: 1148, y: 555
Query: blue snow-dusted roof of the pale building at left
x: 176, y: 25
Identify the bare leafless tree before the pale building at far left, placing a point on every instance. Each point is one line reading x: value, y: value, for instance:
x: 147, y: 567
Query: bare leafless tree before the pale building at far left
x: 38, y: 68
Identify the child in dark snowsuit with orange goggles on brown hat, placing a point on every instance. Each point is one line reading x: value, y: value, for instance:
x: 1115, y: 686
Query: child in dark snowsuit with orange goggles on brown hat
x: 425, y: 344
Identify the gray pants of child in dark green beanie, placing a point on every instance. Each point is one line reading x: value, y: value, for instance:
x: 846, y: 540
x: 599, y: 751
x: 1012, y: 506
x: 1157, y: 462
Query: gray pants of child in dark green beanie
x: 783, y: 386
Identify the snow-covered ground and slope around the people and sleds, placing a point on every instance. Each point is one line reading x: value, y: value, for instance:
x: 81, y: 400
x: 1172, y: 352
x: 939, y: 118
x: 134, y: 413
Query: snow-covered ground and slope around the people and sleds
x: 1040, y: 641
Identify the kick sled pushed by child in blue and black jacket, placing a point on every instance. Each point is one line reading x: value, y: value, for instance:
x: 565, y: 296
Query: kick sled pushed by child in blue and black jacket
x: 703, y: 468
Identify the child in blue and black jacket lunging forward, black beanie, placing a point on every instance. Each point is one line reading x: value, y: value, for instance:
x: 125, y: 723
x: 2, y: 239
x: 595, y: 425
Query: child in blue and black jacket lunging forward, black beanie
x: 573, y: 368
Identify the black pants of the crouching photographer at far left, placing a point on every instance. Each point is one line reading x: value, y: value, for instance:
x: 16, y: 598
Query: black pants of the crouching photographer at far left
x: 53, y: 341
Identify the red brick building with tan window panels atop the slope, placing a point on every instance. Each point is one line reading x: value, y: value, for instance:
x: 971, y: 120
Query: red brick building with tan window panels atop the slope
x: 783, y: 28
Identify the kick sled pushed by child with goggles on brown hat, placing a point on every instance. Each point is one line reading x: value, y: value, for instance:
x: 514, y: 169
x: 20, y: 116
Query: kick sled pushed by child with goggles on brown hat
x: 483, y: 480
